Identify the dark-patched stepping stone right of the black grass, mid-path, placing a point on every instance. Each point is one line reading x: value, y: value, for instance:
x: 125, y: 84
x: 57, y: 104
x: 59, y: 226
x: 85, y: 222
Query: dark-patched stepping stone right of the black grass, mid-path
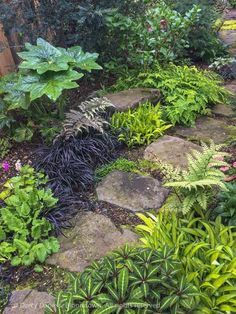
x: 131, y: 191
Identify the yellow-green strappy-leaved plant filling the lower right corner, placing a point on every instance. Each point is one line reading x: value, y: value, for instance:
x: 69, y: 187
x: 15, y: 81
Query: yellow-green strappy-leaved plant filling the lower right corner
x: 207, y: 251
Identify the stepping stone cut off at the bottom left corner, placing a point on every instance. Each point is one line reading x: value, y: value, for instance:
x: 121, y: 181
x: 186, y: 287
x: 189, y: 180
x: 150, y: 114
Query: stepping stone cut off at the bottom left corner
x: 28, y: 302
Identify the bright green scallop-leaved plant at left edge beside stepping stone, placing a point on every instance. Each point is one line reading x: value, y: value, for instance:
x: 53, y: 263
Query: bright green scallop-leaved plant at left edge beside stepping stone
x: 24, y: 234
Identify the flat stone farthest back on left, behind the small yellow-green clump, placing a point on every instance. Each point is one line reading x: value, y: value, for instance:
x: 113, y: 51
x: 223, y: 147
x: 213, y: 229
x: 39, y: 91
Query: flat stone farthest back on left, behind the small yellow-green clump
x: 131, y: 98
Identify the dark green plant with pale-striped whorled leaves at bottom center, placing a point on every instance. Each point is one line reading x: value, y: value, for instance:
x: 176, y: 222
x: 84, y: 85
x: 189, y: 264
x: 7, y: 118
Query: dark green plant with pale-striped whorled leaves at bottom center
x: 131, y: 280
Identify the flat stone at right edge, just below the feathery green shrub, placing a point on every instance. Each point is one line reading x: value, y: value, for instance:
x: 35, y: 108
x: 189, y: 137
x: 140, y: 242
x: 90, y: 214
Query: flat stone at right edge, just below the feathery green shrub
x: 207, y: 129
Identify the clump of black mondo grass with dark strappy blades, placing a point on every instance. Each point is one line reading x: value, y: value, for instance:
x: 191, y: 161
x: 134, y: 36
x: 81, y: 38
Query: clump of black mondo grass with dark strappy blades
x: 70, y: 164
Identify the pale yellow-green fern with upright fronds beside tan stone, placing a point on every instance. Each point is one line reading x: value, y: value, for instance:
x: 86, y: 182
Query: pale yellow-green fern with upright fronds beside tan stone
x: 198, y: 182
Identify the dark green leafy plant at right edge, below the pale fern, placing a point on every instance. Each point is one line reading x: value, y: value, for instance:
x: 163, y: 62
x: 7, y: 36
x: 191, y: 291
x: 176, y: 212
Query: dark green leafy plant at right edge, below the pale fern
x: 226, y: 207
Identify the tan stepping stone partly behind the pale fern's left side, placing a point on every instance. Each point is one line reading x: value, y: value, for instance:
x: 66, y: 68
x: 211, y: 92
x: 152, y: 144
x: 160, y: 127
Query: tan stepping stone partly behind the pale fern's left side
x: 171, y: 150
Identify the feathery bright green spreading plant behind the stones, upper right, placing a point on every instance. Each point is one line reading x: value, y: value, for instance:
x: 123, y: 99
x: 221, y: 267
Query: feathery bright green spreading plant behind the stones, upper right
x: 187, y: 91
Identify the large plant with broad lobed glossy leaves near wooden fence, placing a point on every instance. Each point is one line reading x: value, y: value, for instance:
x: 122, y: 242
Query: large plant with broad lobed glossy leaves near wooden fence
x: 45, y: 72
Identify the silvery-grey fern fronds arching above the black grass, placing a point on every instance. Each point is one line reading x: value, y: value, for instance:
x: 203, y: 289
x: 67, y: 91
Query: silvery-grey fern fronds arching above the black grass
x: 89, y: 115
